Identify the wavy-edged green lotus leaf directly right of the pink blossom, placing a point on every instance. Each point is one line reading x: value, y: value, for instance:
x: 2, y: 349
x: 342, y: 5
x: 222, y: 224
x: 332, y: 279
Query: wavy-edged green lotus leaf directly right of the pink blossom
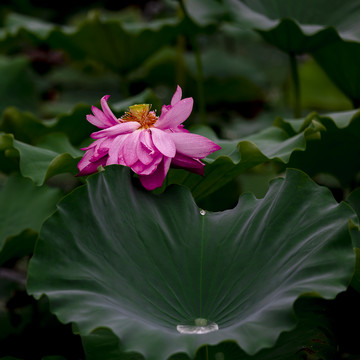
x: 236, y: 156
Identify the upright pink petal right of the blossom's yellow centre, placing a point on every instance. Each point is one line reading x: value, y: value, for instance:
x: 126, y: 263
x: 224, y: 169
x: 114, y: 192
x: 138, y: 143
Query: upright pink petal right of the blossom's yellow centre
x: 176, y: 115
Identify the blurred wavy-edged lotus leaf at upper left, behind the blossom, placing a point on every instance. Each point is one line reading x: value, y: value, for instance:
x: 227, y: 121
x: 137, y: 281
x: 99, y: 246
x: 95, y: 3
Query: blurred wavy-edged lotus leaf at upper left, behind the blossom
x: 119, y: 46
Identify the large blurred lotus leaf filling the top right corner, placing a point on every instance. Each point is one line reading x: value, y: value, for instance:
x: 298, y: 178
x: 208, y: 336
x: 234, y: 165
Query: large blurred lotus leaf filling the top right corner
x: 299, y: 27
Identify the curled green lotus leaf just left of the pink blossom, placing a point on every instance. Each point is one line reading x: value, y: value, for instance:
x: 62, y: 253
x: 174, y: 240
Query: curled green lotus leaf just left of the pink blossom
x: 54, y: 155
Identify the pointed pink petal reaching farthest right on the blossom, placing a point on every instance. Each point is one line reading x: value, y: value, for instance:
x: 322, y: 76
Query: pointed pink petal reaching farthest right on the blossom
x: 193, y: 145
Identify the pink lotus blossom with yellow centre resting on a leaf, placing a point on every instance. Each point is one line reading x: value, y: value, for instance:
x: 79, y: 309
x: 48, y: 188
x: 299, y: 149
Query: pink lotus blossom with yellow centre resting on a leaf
x: 147, y: 143
